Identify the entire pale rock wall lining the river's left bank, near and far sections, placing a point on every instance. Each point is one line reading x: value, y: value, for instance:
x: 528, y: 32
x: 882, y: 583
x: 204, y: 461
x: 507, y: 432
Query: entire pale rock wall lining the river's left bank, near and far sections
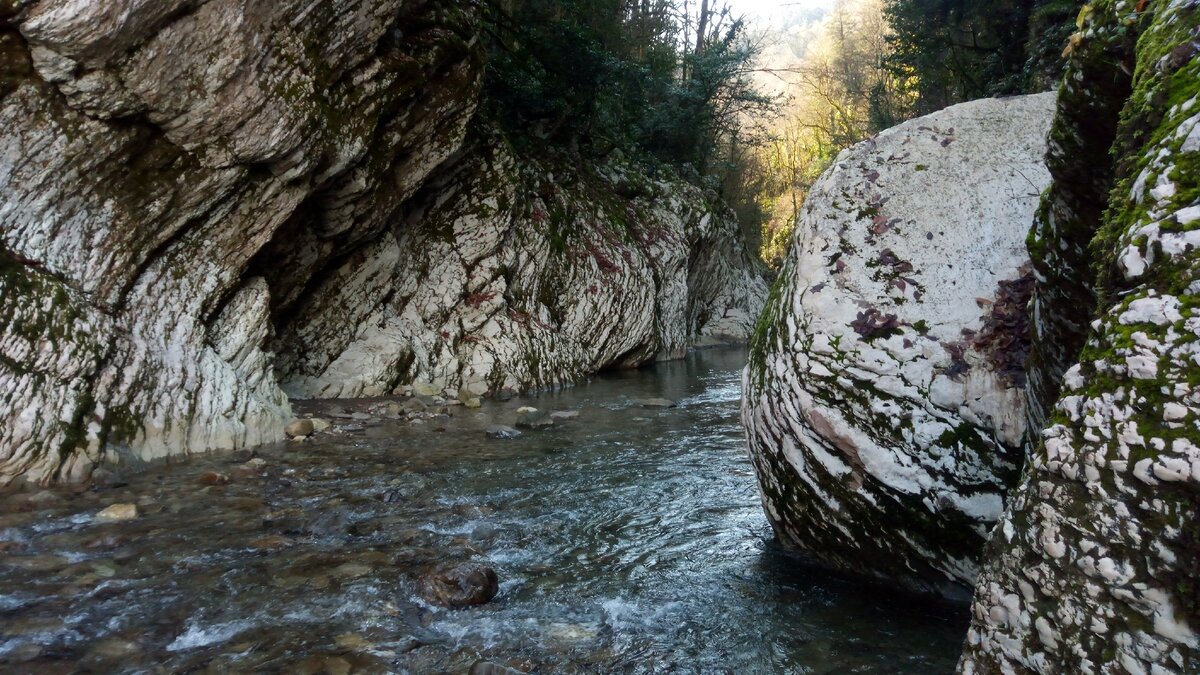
x: 188, y: 188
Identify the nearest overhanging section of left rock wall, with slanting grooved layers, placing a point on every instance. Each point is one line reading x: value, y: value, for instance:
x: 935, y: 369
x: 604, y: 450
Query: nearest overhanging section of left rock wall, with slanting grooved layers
x: 148, y: 153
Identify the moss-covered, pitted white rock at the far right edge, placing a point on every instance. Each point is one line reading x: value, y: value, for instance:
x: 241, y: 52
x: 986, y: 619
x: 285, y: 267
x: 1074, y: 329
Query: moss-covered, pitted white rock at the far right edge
x: 1094, y: 568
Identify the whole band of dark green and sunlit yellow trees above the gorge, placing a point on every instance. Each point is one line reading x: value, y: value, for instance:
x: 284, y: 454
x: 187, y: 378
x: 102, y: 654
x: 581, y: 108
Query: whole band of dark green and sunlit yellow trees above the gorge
x: 681, y: 83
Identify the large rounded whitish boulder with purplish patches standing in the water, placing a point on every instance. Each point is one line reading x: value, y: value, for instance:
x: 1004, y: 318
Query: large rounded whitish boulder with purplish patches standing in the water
x: 885, y: 404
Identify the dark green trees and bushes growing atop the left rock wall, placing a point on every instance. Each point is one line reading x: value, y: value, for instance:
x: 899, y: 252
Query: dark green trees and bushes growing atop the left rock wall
x: 602, y: 75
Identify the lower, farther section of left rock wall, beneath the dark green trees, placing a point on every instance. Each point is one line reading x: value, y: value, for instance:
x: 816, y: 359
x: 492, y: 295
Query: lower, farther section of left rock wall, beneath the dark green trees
x: 511, y: 274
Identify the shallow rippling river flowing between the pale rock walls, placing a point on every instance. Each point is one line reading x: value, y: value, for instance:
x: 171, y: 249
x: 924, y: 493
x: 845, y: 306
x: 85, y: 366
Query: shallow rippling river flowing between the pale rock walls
x: 628, y: 540
